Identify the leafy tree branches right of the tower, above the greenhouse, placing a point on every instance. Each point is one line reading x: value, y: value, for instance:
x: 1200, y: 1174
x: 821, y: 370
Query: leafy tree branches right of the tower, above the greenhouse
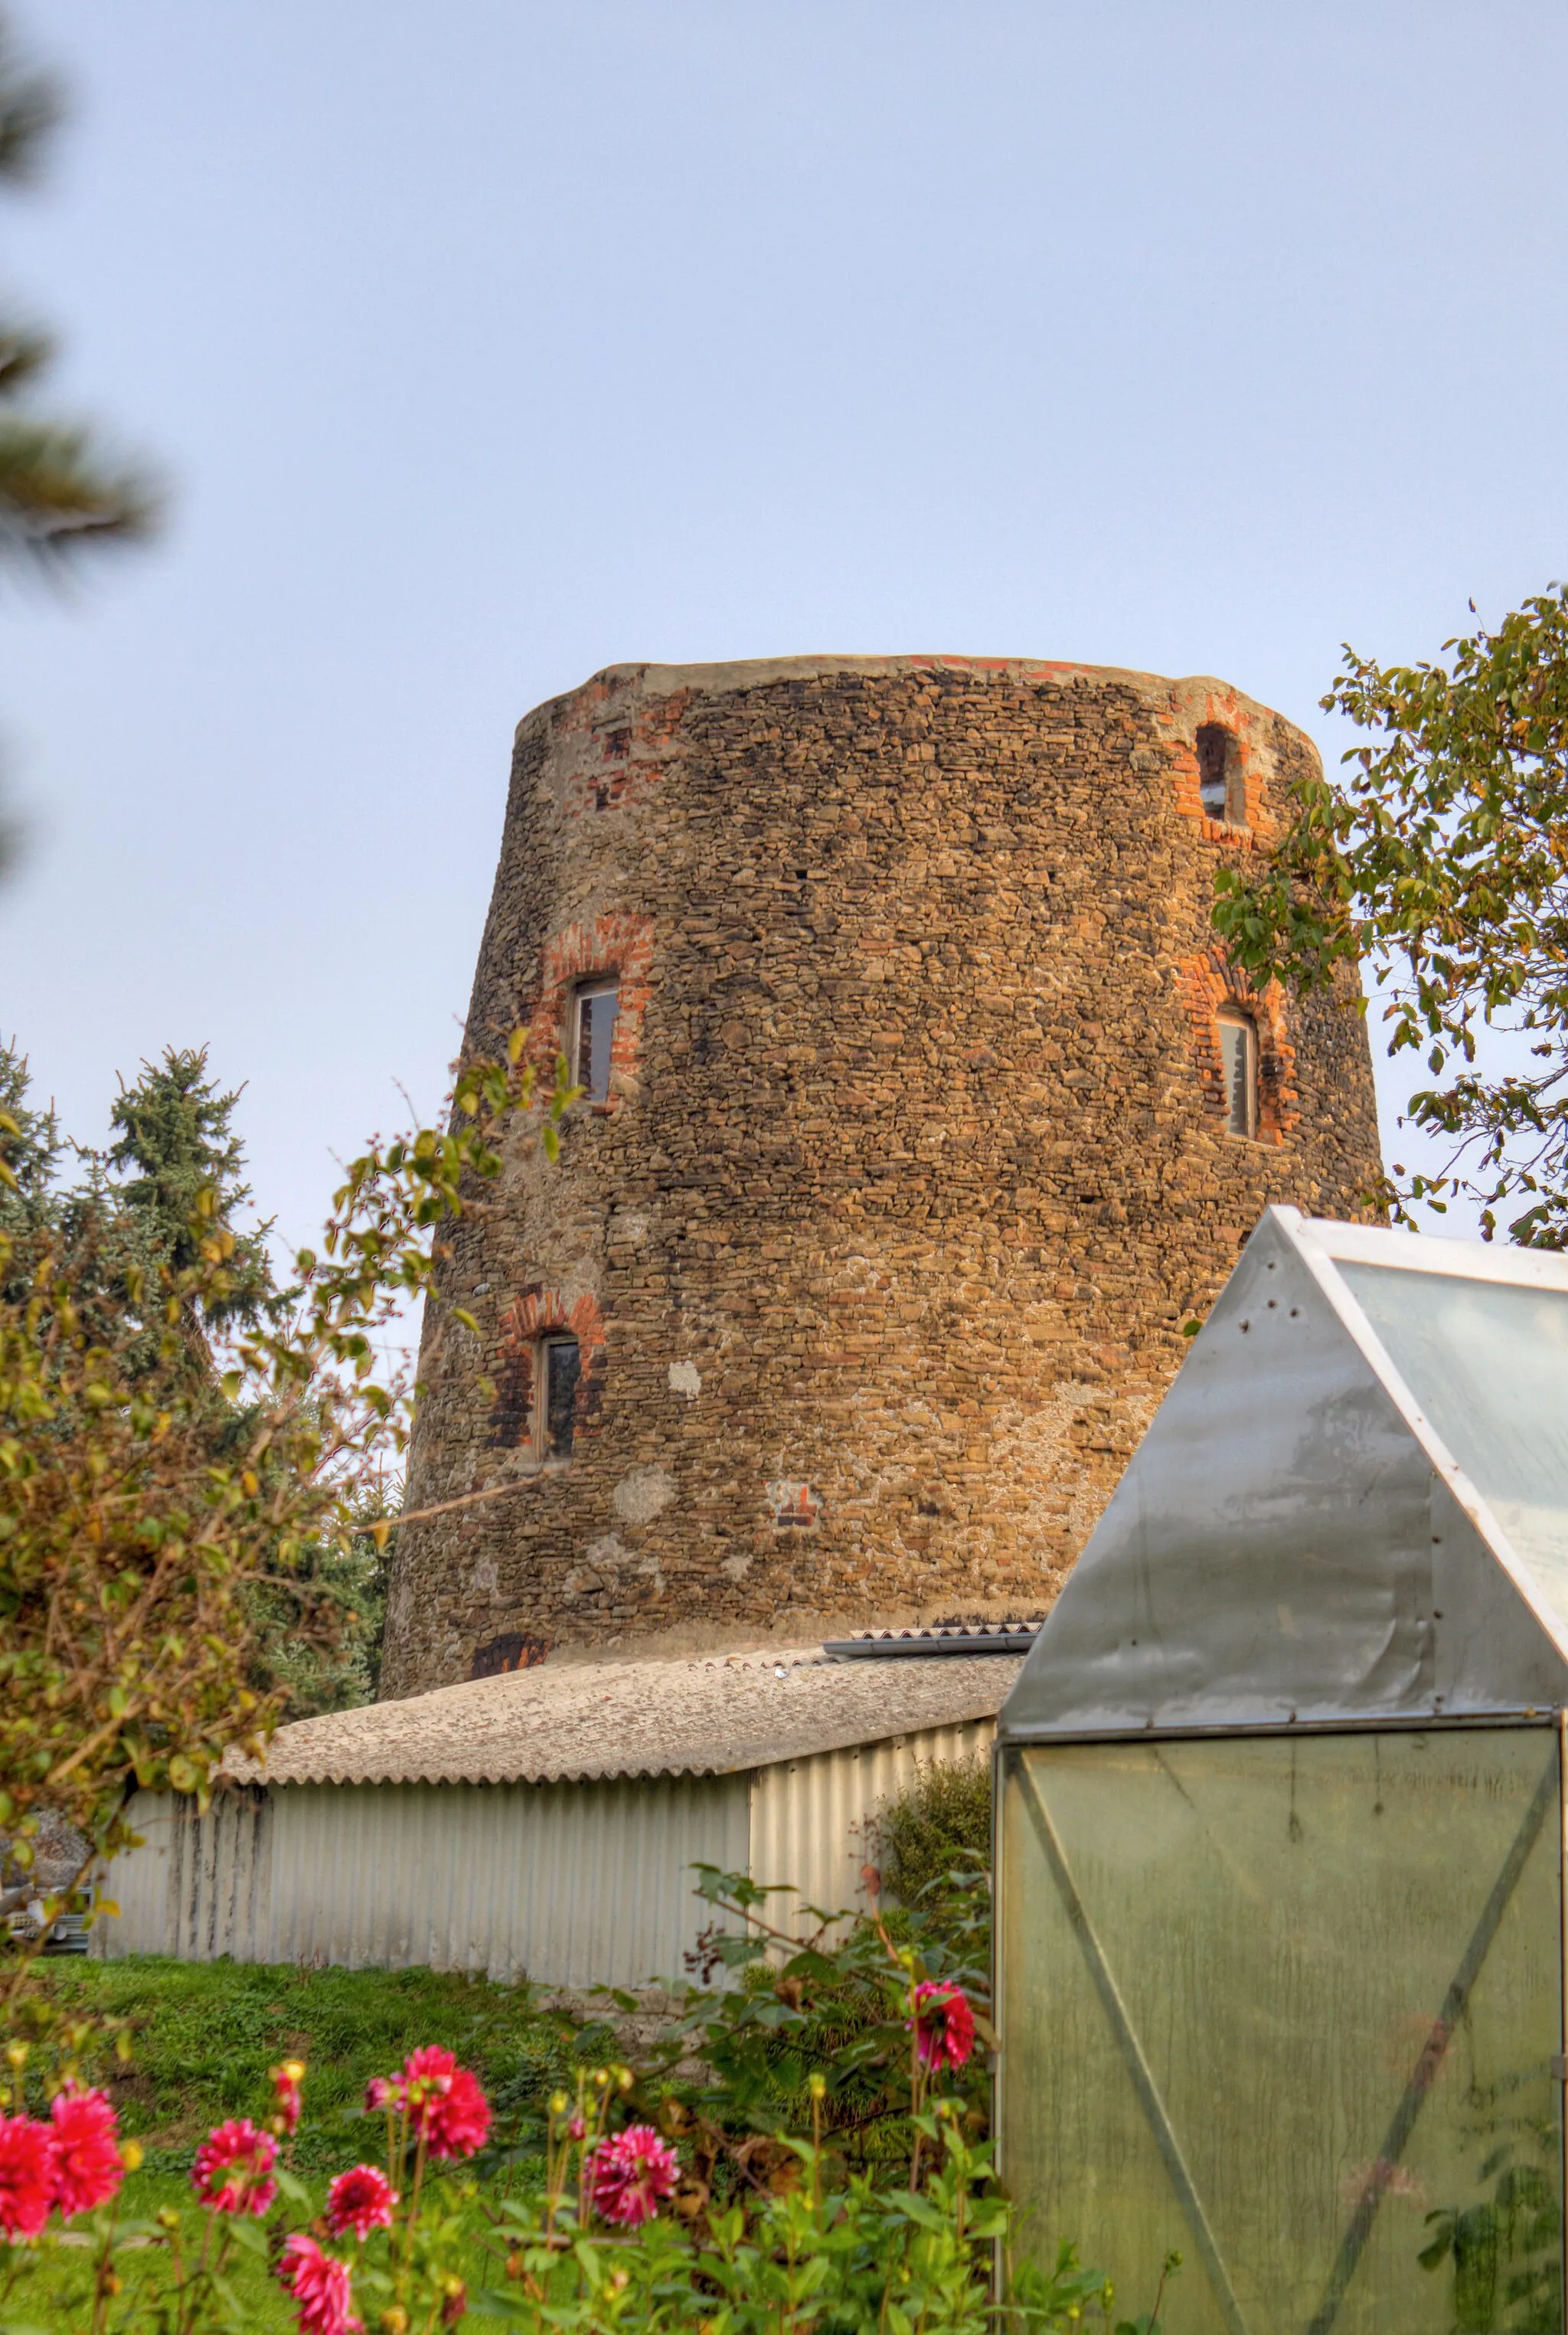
x: 1443, y: 867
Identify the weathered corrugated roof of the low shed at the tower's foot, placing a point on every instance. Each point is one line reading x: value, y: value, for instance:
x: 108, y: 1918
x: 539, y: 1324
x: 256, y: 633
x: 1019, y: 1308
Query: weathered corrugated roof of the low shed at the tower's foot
x: 622, y: 1720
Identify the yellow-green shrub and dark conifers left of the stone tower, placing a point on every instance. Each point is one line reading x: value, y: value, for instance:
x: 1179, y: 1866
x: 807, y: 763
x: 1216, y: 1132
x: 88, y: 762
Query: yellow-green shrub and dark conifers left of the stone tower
x: 181, y: 1442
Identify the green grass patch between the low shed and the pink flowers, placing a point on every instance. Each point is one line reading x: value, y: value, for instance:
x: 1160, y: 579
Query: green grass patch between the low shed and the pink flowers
x: 206, y: 2033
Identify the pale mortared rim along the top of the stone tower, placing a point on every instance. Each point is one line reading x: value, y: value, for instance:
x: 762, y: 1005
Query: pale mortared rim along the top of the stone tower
x: 659, y: 681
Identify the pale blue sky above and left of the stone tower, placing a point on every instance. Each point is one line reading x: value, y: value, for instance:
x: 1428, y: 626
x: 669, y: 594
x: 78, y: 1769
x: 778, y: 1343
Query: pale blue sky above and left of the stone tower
x: 493, y: 342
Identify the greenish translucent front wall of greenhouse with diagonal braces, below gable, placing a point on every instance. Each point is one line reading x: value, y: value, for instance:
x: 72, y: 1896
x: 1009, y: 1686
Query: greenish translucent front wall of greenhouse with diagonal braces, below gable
x: 1291, y: 2007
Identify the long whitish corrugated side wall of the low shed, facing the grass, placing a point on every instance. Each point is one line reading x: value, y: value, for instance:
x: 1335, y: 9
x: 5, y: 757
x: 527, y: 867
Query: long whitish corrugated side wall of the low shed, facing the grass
x: 561, y: 1883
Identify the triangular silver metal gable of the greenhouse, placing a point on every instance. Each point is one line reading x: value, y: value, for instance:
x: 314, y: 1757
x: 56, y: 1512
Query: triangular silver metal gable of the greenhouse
x: 1284, y: 1547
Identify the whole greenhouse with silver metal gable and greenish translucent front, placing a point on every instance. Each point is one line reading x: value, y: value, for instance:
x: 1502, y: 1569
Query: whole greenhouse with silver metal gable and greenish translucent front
x: 1282, y: 1813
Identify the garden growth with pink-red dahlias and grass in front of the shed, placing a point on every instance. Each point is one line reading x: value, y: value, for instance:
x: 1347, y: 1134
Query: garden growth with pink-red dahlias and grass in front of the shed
x: 720, y: 2184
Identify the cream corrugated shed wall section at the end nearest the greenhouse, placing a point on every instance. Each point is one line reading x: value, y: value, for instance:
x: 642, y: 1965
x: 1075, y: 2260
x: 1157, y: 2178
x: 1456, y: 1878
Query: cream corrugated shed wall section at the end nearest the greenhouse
x: 808, y: 1815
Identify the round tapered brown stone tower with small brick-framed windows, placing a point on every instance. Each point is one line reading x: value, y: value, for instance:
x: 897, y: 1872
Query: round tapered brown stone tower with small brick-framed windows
x: 920, y: 1115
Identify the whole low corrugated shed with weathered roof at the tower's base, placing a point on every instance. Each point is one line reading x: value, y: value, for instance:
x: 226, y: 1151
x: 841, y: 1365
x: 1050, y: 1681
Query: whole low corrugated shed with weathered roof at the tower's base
x: 559, y: 1846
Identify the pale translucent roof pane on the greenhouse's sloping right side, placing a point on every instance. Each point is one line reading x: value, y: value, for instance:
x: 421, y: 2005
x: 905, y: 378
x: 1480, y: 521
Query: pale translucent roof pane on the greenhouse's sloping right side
x: 1490, y: 1367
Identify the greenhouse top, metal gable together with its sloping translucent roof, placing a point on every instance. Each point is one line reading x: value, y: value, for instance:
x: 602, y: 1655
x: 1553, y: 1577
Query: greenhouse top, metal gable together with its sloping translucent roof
x: 1352, y: 1503
